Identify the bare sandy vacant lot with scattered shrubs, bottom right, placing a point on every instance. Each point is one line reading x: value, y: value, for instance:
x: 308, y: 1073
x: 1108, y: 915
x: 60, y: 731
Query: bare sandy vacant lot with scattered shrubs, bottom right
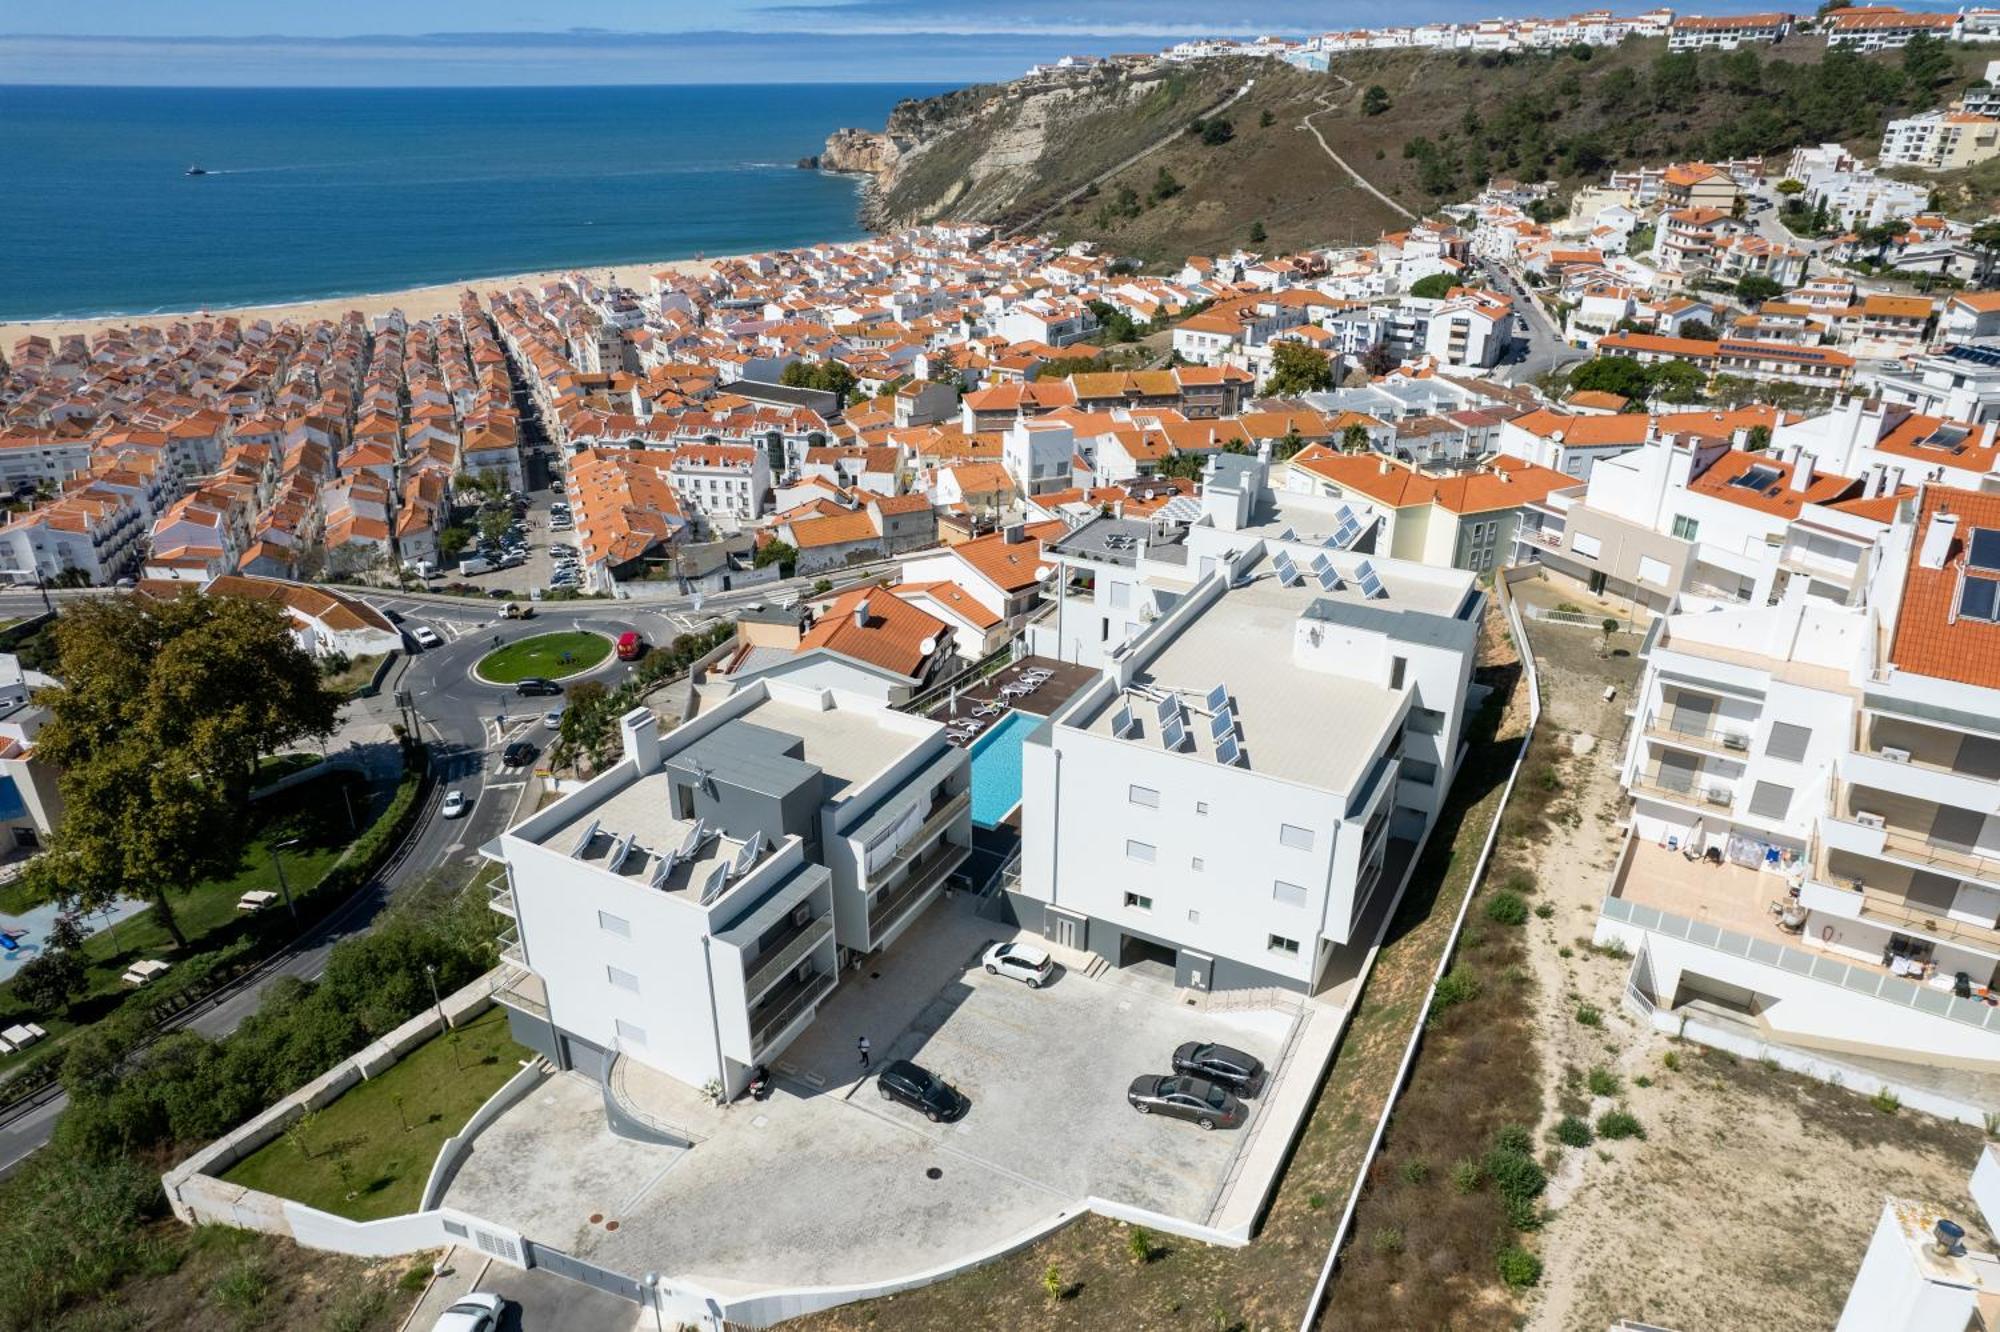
x: 1755, y: 1193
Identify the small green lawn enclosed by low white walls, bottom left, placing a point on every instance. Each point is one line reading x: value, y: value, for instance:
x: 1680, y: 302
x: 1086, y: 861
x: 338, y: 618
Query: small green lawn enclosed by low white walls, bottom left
x: 369, y: 1153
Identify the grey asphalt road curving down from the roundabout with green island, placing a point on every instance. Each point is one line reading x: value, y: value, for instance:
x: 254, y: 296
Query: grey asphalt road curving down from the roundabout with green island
x: 463, y: 723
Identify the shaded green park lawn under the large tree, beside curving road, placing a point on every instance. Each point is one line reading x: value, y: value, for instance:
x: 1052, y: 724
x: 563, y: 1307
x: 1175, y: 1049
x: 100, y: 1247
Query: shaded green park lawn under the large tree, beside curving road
x: 315, y: 815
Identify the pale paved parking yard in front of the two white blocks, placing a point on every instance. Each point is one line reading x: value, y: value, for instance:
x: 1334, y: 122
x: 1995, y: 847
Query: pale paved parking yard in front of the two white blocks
x: 829, y: 1183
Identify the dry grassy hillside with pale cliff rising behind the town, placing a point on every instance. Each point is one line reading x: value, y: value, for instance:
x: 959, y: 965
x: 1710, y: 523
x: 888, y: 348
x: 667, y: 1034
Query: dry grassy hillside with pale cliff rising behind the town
x: 1437, y: 131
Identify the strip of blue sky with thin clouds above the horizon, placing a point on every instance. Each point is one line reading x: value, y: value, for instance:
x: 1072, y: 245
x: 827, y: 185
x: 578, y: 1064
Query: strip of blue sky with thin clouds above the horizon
x: 421, y: 43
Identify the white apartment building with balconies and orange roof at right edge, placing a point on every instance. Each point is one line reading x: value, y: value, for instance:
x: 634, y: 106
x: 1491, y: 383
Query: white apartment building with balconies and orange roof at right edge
x: 1817, y: 811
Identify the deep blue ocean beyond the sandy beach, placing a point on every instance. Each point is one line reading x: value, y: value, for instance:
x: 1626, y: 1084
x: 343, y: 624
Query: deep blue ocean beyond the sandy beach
x: 349, y: 191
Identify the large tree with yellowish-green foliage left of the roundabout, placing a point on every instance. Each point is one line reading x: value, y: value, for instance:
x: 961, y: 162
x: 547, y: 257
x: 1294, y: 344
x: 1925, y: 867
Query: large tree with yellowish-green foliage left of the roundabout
x: 157, y: 733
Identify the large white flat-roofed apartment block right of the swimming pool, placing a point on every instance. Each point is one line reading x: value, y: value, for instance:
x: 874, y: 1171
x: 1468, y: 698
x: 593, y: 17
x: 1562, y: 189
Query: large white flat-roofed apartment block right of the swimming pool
x: 1241, y: 787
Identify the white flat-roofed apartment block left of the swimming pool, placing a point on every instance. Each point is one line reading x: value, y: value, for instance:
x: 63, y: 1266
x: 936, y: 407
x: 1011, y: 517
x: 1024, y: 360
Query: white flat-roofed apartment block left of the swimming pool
x: 695, y: 905
